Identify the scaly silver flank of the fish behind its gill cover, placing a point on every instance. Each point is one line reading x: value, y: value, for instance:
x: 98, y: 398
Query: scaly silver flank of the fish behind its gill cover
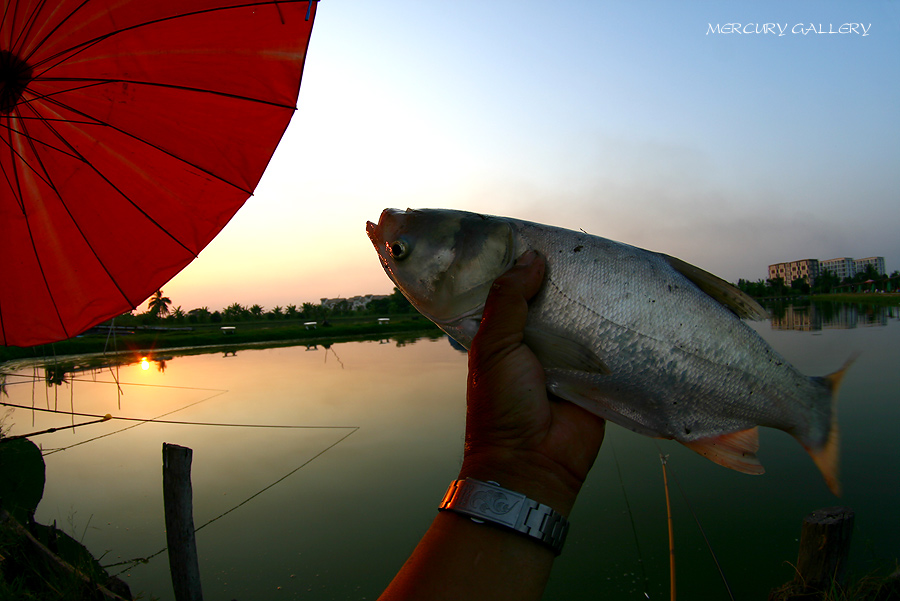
x: 736, y: 363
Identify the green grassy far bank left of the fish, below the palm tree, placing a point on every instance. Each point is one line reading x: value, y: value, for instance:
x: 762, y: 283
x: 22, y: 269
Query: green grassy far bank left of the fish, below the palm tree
x: 147, y: 340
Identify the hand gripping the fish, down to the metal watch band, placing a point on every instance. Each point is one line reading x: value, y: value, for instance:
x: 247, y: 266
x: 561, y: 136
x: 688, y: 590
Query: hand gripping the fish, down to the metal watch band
x: 517, y: 434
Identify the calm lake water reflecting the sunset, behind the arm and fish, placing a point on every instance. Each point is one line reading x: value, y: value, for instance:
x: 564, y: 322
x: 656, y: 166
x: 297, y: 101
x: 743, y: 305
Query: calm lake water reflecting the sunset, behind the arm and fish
x: 338, y: 500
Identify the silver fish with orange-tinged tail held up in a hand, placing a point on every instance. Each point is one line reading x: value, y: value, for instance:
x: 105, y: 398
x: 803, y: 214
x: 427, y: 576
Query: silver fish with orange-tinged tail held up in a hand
x: 639, y: 338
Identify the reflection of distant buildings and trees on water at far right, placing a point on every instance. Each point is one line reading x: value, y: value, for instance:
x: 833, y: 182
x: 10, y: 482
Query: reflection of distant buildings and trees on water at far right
x: 814, y: 317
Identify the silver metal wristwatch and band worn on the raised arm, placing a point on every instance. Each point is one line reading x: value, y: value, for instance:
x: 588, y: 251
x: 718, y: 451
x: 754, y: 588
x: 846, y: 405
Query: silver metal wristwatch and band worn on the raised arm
x: 489, y: 502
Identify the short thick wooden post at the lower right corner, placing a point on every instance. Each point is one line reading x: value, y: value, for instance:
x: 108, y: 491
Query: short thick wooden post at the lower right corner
x: 824, y: 548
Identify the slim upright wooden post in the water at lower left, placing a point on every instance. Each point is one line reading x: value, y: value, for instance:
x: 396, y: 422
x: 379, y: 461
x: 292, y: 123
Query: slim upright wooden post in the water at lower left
x: 182, y: 546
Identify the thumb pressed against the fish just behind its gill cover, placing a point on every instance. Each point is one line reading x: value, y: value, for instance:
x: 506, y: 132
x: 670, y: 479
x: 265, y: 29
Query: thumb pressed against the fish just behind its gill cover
x: 506, y: 308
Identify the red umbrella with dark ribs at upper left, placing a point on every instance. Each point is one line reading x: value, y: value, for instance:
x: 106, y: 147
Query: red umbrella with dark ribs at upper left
x: 131, y: 131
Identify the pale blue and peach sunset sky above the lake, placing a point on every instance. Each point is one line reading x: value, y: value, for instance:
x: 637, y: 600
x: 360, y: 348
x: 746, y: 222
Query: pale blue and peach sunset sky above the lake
x: 659, y: 124
